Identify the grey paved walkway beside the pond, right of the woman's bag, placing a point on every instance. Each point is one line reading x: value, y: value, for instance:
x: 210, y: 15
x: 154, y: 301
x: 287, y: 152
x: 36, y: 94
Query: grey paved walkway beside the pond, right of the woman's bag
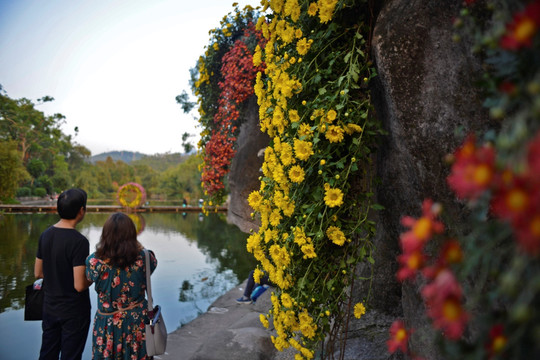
x: 226, y: 331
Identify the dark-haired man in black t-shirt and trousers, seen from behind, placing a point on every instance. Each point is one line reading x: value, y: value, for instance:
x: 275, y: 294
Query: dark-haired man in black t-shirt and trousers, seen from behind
x: 60, y: 261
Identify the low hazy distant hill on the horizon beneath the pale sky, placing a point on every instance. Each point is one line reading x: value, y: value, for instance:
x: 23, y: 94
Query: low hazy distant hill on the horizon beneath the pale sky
x: 158, y: 162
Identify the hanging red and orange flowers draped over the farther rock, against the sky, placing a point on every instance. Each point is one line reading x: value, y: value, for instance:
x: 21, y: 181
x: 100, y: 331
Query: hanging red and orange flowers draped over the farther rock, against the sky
x: 225, y: 81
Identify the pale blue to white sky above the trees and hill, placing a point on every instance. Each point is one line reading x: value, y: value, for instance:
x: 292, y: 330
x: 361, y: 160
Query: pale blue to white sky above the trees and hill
x: 113, y: 67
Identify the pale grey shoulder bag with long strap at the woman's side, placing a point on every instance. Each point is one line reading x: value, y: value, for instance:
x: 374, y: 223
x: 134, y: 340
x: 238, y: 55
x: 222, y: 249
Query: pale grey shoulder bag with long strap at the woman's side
x: 156, y: 332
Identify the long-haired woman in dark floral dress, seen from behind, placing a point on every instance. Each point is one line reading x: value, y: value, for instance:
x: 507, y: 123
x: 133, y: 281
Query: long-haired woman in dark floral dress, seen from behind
x: 117, y: 269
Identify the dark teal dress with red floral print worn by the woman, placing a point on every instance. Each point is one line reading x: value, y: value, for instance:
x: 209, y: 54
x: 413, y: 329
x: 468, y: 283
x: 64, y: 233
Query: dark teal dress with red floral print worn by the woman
x: 118, y: 333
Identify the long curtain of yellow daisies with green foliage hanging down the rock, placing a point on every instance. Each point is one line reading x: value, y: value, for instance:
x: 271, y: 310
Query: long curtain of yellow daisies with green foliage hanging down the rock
x: 315, y: 190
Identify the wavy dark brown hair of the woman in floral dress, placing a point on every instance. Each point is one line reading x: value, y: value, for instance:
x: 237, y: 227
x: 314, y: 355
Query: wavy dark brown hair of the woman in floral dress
x: 118, y: 243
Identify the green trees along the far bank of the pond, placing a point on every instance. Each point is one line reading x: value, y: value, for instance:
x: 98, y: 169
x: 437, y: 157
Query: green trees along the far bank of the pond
x: 38, y: 159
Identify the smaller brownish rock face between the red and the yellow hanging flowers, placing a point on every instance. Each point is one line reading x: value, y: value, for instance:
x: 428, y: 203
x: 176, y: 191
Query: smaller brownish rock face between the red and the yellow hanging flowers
x: 245, y: 168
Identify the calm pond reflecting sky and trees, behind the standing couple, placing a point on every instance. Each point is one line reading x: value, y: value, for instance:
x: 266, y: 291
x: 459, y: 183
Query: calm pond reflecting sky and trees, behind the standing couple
x: 199, y: 259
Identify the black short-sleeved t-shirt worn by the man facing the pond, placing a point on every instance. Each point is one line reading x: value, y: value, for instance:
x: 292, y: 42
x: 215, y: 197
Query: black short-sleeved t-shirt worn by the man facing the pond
x: 62, y: 249
